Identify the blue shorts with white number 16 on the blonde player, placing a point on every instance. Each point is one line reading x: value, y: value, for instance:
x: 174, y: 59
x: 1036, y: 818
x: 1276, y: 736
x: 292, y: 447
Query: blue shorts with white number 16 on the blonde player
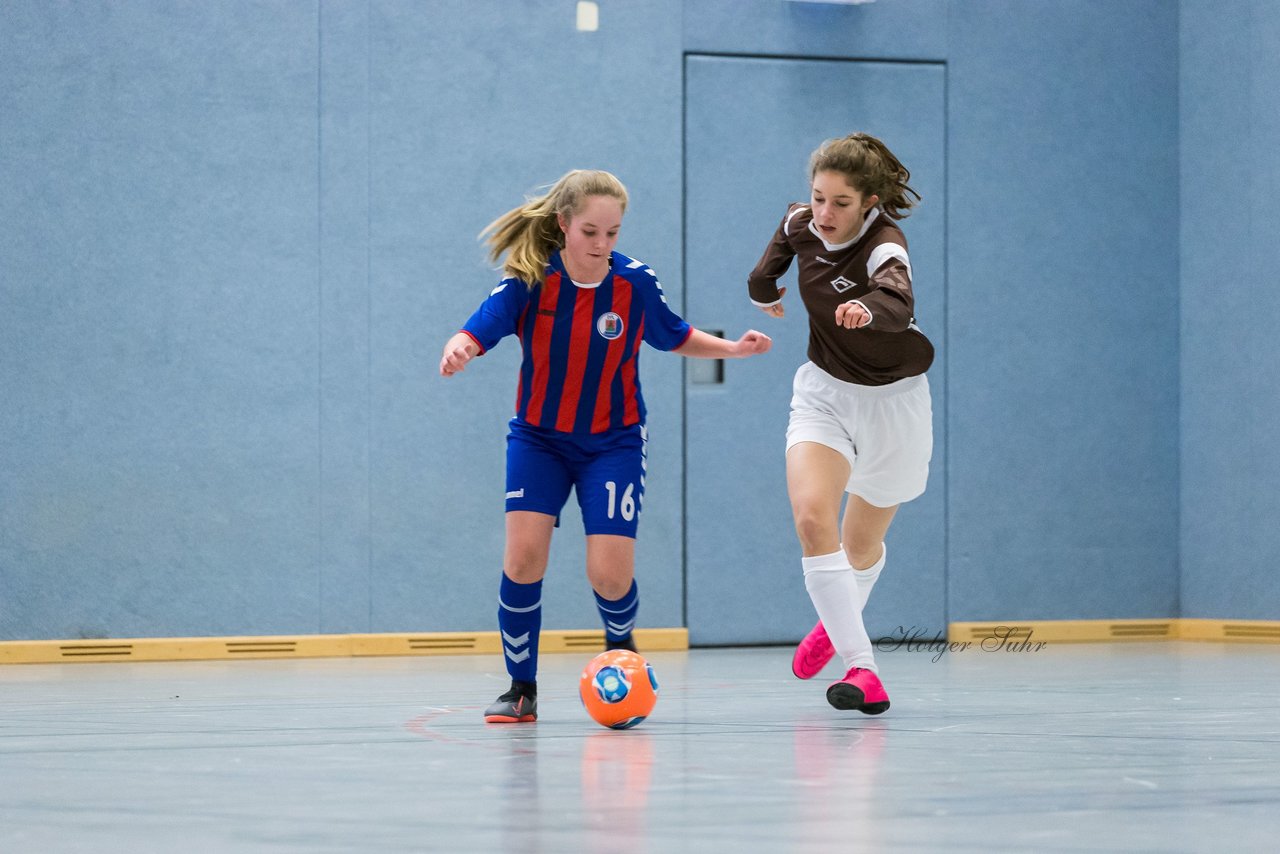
x: 606, y: 469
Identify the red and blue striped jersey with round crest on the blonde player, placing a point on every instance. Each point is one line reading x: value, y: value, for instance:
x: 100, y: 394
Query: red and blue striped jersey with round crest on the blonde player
x: 580, y: 371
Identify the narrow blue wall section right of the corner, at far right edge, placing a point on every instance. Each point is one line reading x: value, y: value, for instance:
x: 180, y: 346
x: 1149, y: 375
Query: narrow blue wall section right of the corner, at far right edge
x: 1231, y: 264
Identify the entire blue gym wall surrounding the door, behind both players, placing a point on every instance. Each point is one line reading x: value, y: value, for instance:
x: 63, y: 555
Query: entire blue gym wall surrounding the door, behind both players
x: 234, y: 239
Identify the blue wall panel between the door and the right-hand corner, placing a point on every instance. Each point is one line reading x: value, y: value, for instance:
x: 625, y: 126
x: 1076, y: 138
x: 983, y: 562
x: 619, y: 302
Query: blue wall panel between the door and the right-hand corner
x: 1063, y: 310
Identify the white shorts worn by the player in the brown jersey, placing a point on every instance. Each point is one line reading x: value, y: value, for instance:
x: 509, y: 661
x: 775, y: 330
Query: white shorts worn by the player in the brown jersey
x: 886, y: 432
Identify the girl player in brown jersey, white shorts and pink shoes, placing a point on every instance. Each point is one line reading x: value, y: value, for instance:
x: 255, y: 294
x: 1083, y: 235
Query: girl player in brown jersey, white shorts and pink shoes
x: 861, y: 412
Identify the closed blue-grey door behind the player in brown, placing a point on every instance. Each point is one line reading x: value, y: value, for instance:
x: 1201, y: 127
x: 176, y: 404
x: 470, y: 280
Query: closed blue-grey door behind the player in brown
x: 751, y: 125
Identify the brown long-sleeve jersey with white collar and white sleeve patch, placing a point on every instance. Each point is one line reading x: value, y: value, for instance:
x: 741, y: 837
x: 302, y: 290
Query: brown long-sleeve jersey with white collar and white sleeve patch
x: 875, y: 271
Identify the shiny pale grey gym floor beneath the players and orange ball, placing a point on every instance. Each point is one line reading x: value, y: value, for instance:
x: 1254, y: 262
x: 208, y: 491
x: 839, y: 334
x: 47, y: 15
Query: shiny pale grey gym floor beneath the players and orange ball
x: 1171, y: 747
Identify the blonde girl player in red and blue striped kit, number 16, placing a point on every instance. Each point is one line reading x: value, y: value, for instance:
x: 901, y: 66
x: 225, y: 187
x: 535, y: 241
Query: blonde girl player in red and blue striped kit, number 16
x: 582, y: 313
